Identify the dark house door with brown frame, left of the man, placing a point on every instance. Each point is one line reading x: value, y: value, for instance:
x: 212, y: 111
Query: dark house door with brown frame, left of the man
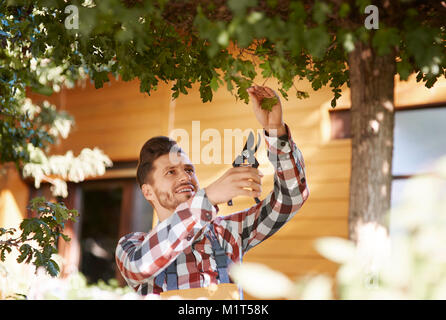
x: 110, y: 209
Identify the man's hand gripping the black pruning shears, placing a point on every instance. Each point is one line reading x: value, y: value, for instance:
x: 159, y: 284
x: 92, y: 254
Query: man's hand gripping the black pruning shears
x: 233, y: 184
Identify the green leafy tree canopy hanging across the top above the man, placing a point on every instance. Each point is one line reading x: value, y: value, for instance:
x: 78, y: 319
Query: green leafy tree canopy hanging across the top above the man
x: 213, y: 43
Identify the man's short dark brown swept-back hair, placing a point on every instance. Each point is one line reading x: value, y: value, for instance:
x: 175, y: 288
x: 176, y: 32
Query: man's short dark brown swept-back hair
x: 151, y: 150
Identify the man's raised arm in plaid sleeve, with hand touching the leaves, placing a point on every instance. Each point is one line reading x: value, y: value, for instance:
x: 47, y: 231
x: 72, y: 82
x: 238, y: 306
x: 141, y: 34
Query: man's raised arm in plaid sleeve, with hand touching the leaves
x: 290, y: 191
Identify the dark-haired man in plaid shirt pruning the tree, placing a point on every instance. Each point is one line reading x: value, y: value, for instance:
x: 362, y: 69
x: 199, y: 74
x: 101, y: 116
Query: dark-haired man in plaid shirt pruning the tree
x: 190, y: 239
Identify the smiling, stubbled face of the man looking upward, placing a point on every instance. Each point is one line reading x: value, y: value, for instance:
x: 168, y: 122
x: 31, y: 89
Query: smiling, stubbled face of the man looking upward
x: 173, y: 181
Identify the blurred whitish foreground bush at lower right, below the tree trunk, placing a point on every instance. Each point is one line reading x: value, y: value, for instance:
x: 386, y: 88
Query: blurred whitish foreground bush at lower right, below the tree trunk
x: 410, y: 264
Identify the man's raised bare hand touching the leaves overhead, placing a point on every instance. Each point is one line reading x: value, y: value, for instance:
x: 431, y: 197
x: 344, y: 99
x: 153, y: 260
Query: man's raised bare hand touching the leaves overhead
x: 271, y: 121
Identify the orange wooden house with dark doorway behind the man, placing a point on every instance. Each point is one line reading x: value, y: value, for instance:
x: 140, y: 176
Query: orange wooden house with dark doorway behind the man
x: 118, y: 119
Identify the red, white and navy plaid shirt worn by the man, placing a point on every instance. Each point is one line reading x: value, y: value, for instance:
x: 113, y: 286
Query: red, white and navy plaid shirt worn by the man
x: 142, y: 256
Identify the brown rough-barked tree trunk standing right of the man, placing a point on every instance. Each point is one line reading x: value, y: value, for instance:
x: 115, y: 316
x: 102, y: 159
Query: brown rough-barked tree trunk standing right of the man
x: 372, y: 116
